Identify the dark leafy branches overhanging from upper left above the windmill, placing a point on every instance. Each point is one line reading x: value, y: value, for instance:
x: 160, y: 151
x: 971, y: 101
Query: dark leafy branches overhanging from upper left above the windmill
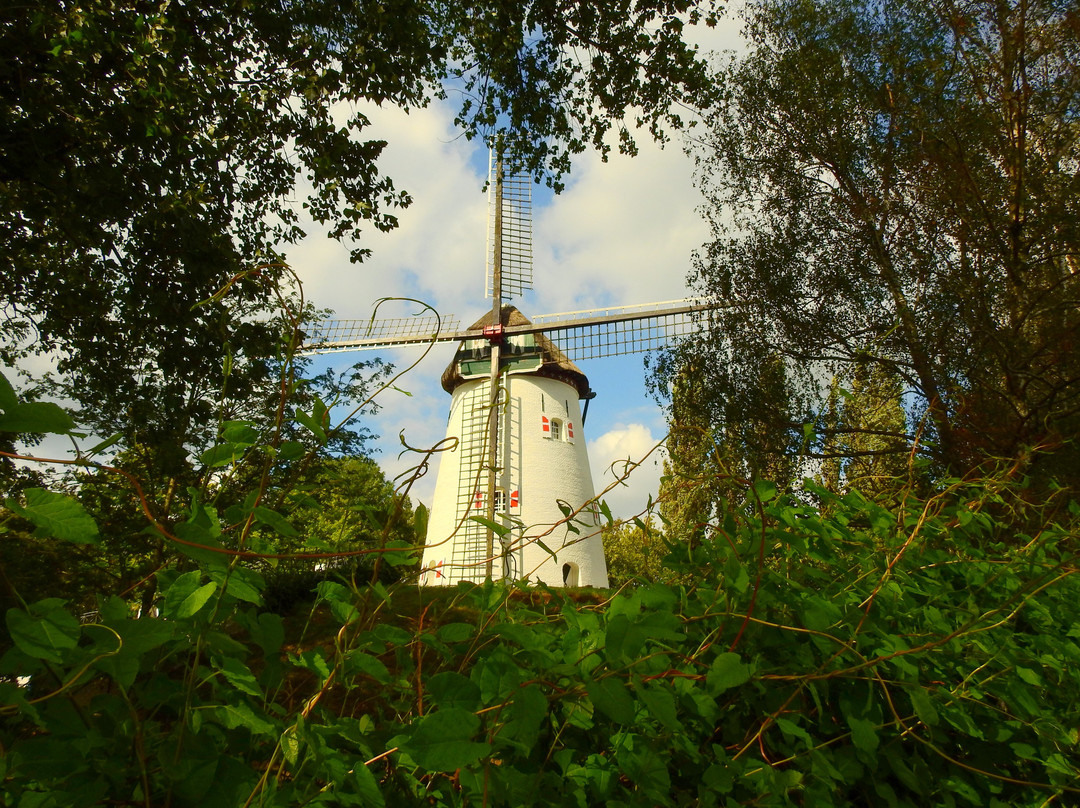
x: 153, y: 156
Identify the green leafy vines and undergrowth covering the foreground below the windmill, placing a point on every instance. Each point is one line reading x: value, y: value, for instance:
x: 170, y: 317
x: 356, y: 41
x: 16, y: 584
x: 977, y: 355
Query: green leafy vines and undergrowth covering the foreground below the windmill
x: 917, y: 655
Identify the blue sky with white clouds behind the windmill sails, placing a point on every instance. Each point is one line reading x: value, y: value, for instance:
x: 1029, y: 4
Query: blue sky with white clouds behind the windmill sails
x: 622, y: 234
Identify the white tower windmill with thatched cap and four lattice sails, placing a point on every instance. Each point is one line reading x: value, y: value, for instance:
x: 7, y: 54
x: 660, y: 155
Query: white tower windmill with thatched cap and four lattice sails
x: 519, y: 461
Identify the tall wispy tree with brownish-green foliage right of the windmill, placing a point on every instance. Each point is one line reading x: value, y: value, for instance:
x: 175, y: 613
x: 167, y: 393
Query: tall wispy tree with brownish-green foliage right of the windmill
x: 895, y: 191
